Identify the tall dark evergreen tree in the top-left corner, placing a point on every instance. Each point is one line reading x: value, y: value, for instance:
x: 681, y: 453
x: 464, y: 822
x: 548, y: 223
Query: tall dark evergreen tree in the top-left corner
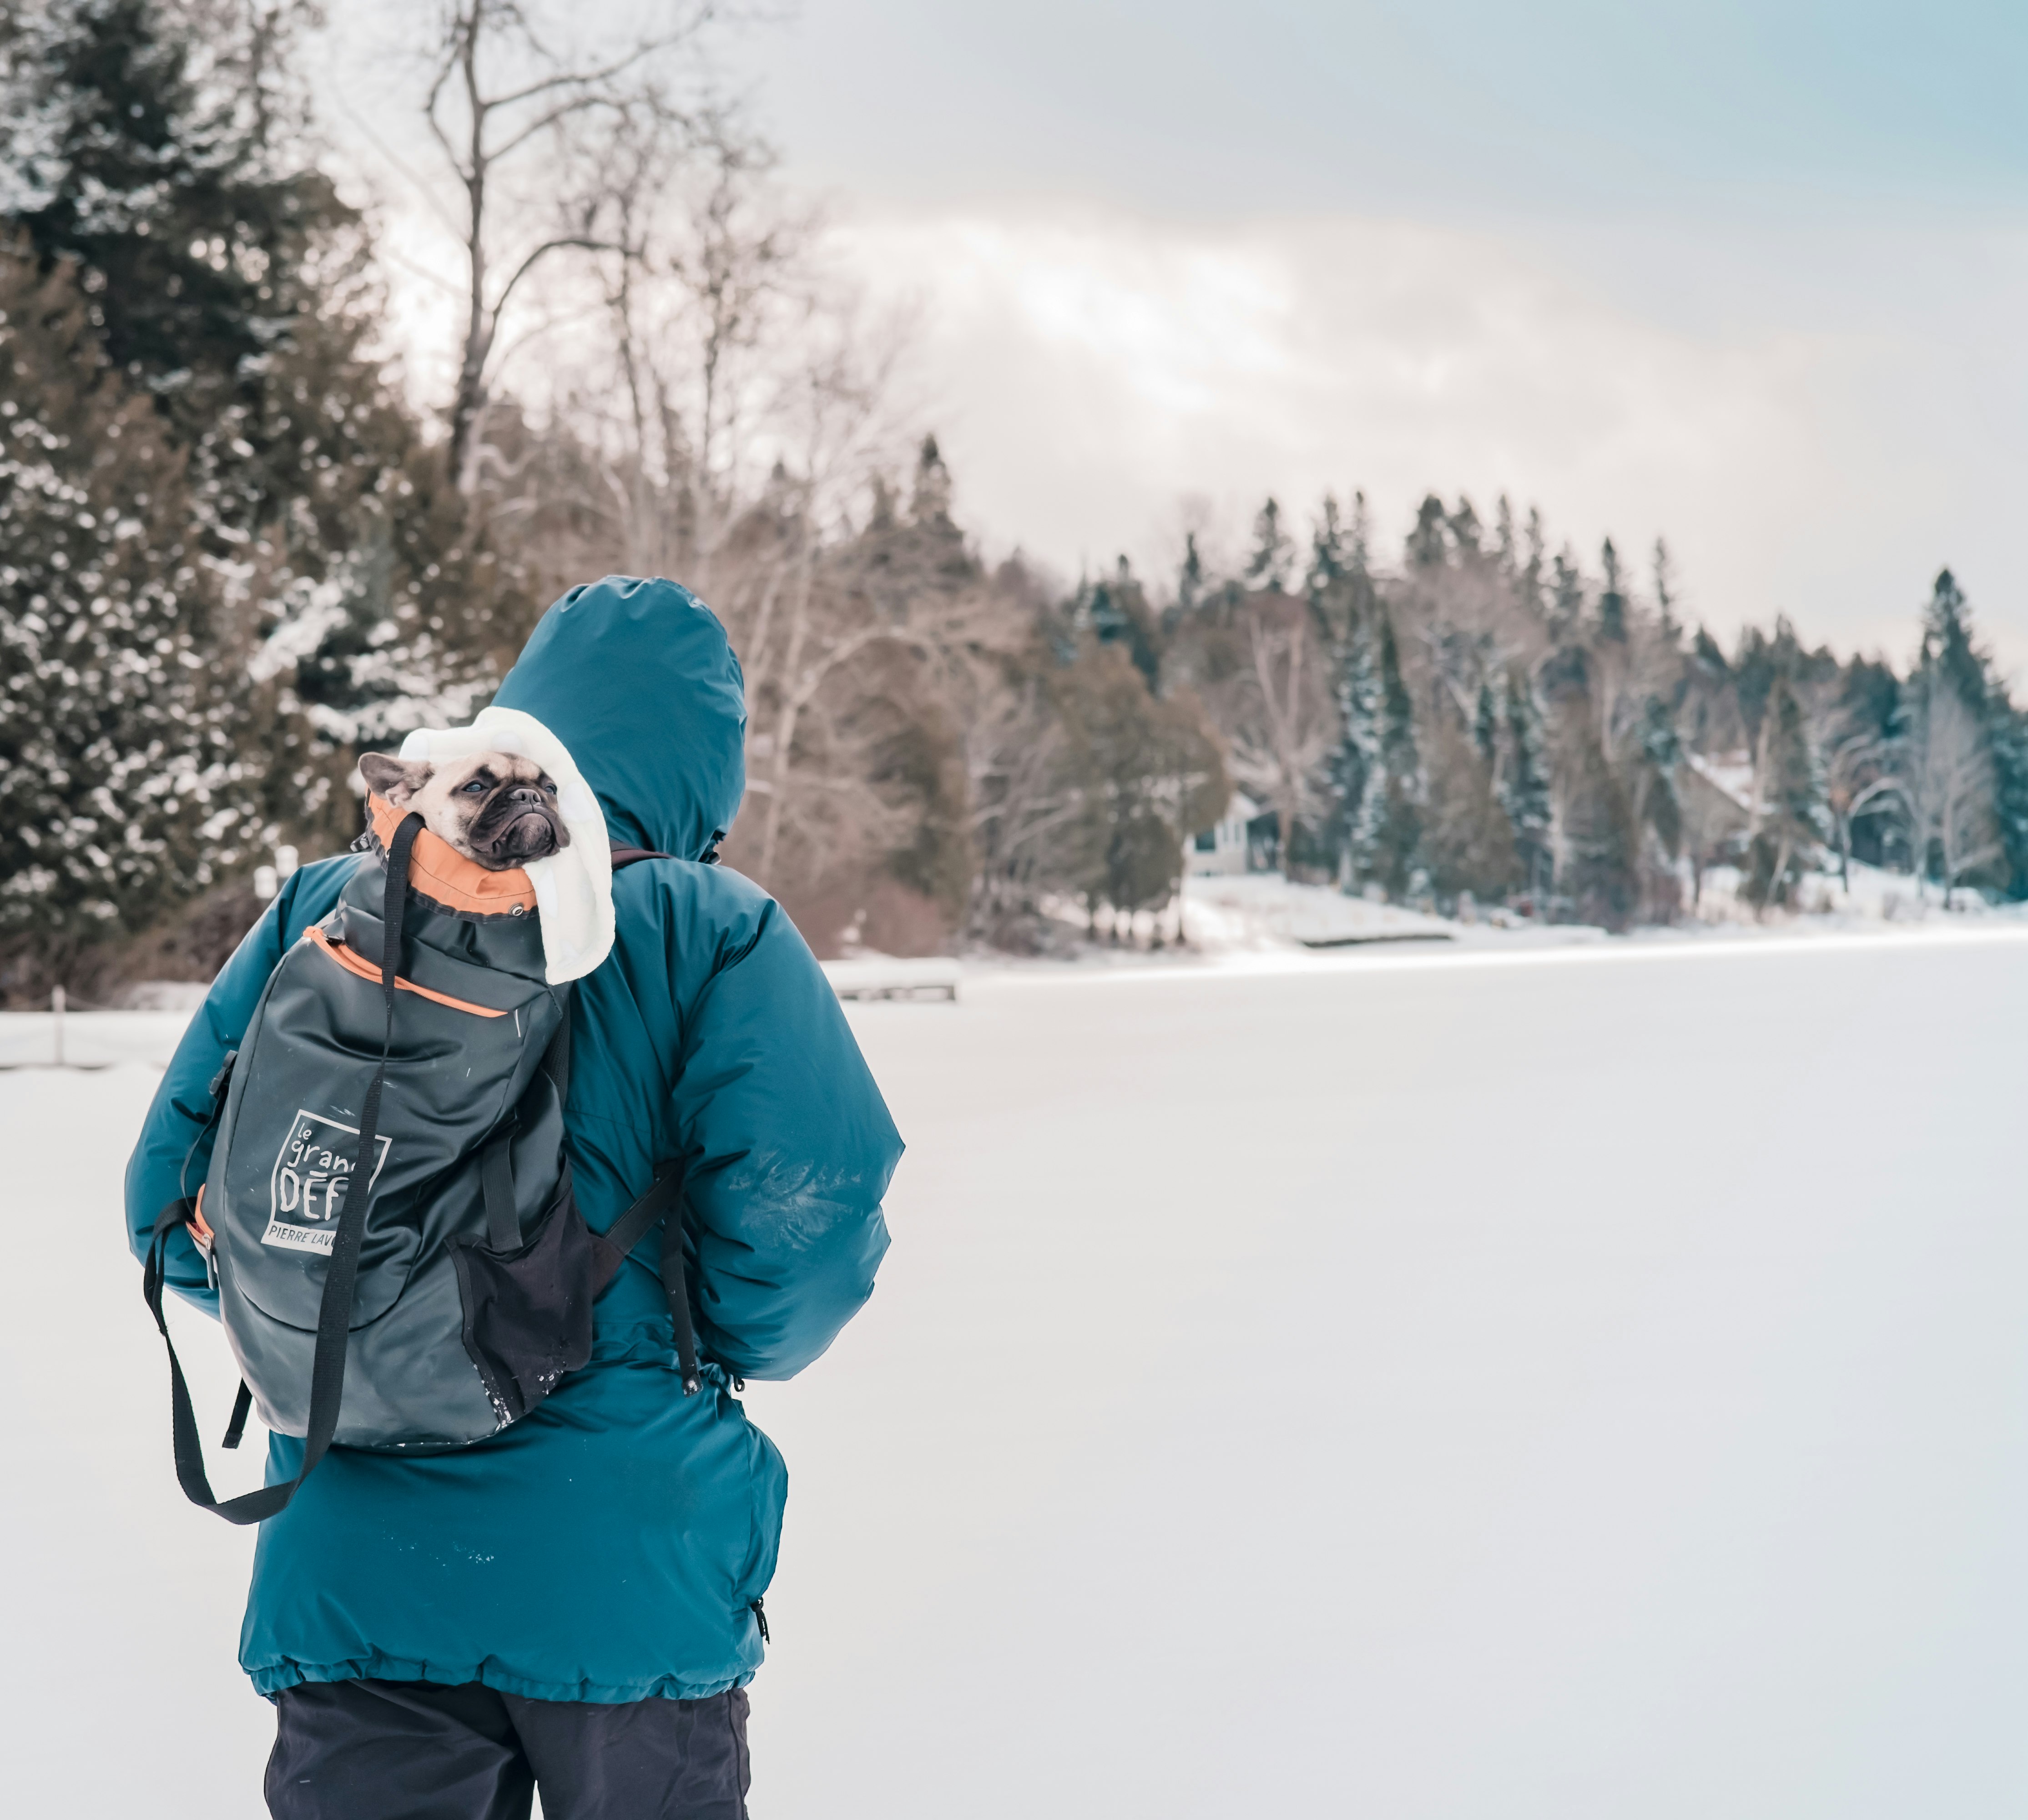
x: 161, y: 153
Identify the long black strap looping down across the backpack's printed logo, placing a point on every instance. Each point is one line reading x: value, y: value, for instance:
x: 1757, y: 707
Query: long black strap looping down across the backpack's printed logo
x: 336, y: 1310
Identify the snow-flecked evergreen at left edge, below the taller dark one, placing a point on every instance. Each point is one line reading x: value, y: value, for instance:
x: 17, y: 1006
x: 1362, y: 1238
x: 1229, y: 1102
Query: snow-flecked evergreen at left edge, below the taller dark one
x: 123, y: 788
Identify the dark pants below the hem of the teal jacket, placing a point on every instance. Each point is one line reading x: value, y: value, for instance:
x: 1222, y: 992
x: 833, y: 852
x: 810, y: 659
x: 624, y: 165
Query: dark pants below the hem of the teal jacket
x: 409, y: 1750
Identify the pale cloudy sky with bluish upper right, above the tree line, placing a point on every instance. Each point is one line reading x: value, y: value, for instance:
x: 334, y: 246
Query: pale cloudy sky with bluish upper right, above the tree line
x: 1743, y: 275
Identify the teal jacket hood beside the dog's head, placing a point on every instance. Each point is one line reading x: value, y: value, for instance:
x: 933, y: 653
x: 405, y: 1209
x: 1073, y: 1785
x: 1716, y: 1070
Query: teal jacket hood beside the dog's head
x: 640, y: 681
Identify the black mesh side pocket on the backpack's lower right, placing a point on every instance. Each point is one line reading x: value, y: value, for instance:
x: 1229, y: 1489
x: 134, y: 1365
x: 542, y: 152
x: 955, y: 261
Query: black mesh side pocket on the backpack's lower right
x: 528, y: 1314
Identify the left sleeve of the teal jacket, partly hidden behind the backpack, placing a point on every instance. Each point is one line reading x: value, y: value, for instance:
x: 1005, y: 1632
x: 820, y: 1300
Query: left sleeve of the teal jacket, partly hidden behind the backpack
x: 175, y: 1145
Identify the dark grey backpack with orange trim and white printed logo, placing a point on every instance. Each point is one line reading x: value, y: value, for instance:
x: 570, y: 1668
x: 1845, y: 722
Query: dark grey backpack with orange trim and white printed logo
x: 411, y: 1044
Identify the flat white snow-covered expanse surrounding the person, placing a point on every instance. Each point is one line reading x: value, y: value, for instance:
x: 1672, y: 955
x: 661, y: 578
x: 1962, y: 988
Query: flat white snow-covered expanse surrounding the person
x: 1571, y: 1385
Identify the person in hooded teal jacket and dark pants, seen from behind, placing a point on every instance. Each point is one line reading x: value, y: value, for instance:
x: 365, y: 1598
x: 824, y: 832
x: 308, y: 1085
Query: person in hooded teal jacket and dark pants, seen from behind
x: 581, y: 1598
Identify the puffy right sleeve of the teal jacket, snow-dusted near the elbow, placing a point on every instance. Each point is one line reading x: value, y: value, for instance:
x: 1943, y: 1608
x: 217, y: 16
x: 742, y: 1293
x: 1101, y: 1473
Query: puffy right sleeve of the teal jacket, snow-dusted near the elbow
x: 790, y: 1149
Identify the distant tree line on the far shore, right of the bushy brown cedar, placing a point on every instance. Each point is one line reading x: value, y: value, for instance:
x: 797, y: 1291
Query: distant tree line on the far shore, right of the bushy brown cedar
x: 1488, y: 719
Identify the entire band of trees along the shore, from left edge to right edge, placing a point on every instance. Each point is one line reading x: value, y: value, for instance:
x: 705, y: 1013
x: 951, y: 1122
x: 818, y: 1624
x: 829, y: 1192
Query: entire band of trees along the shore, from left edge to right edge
x: 236, y: 551
